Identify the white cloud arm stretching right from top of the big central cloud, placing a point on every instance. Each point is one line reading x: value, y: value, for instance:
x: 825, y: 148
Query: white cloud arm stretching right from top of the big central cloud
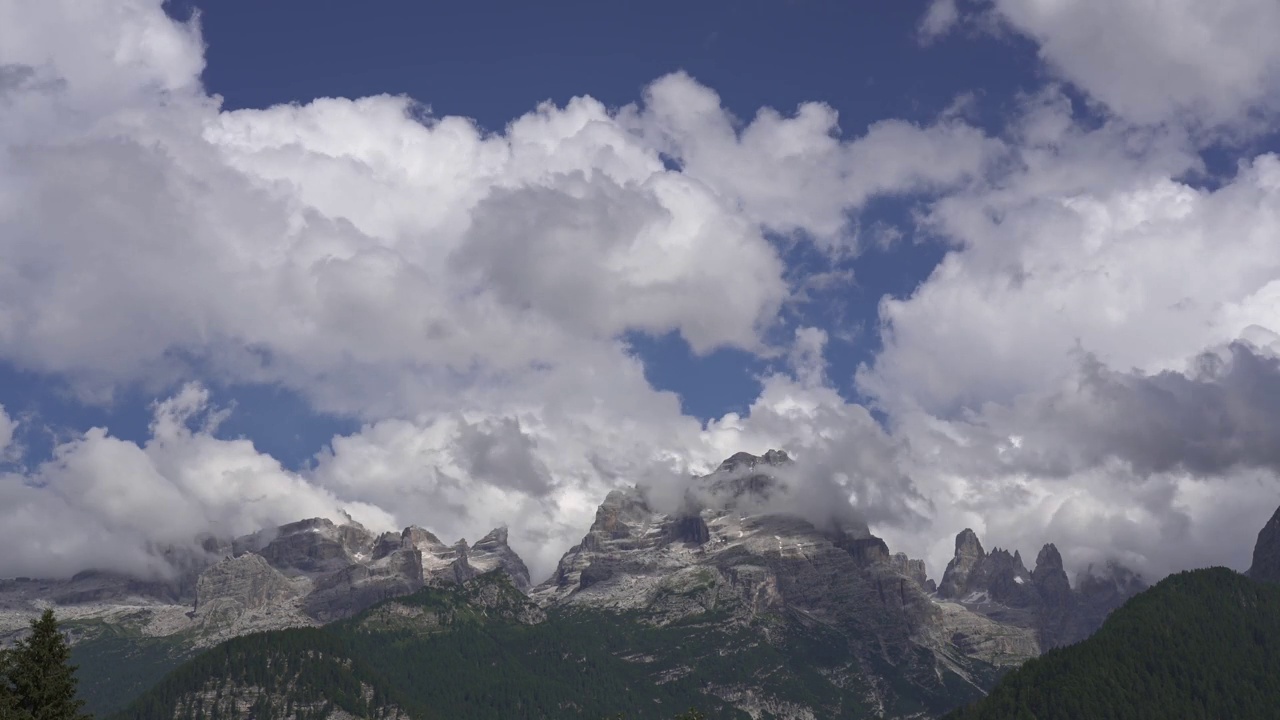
x: 796, y: 175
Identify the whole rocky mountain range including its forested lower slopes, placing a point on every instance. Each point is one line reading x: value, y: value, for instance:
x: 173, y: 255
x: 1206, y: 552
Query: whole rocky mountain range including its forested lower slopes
x: 717, y: 600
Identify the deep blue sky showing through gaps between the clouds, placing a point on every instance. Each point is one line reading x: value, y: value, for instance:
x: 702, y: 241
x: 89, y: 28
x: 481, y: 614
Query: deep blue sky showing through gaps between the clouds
x: 495, y: 61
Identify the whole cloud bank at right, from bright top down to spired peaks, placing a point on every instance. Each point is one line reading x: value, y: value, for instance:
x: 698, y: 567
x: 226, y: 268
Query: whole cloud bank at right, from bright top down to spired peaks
x: 1091, y: 248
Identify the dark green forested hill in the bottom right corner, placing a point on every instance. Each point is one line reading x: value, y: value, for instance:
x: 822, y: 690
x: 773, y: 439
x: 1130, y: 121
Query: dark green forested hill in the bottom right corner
x: 1200, y: 645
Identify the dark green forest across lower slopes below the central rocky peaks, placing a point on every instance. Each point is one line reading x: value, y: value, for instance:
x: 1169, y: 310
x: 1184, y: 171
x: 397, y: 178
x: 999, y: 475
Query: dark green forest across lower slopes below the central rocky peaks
x: 464, y: 654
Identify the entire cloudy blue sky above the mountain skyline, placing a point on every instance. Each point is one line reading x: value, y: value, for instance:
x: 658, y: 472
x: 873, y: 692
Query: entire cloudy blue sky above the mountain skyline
x: 1003, y: 265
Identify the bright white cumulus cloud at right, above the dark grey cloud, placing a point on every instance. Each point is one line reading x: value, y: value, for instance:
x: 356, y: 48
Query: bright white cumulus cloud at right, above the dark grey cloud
x: 1052, y: 265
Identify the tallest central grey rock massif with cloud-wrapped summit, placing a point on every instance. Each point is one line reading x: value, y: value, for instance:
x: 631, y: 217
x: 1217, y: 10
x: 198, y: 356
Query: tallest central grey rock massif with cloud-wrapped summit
x: 781, y: 575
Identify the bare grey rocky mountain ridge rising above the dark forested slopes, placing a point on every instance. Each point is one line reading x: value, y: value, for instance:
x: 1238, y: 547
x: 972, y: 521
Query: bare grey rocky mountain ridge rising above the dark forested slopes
x: 721, y: 558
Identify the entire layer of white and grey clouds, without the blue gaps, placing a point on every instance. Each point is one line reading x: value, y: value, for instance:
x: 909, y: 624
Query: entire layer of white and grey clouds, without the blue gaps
x: 464, y: 294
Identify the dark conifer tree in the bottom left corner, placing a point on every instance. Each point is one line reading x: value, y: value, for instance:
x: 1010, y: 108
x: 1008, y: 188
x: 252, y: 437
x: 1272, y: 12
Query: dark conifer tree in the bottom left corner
x: 43, y: 677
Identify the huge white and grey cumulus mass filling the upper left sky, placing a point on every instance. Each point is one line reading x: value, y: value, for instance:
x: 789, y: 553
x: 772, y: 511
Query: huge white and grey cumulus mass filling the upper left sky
x: 376, y: 257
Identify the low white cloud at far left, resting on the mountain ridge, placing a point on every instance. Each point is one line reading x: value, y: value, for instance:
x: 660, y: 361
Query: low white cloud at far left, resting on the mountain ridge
x: 108, y: 504
